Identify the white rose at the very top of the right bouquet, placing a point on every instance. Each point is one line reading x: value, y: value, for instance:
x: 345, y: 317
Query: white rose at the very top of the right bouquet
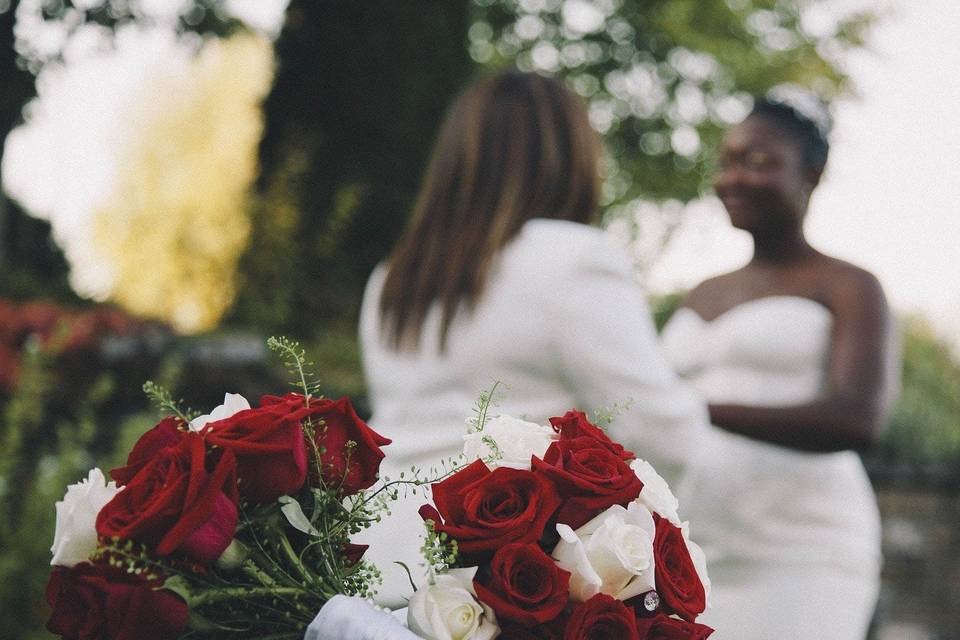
x: 516, y: 440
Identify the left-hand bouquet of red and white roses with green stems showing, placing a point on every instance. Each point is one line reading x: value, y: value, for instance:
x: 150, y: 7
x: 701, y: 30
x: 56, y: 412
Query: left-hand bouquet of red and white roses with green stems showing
x: 231, y: 524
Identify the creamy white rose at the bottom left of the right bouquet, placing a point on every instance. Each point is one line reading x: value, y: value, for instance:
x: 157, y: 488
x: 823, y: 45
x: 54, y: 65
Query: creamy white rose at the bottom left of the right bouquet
x: 449, y: 610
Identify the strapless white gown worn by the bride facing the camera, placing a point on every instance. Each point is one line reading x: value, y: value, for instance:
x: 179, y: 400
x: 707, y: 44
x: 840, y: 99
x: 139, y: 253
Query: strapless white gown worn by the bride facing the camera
x: 792, y: 538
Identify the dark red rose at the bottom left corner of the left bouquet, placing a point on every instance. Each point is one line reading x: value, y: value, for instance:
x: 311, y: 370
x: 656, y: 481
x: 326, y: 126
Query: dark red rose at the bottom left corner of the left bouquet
x: 97, y: 601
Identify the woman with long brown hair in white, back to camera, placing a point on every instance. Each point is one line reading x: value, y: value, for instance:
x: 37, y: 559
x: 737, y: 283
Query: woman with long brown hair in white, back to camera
x: 500, y: 277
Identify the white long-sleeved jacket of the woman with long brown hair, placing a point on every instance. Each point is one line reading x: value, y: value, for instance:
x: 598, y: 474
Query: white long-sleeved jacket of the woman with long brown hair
x: 563, y: 323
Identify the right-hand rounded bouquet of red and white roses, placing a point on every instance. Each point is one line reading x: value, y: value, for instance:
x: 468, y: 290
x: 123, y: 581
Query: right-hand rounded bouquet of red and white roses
x: 556, y: 532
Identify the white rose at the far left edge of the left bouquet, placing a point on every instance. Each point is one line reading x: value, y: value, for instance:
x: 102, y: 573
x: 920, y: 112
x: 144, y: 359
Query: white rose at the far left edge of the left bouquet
x: 75, y: 537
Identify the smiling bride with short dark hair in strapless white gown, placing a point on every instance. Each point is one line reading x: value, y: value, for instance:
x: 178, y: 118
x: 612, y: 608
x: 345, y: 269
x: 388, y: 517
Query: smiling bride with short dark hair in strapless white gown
x: 793, y: 352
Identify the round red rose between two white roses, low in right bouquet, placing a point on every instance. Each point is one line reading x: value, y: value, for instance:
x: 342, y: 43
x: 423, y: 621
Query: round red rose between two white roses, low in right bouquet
x: 525, y: 585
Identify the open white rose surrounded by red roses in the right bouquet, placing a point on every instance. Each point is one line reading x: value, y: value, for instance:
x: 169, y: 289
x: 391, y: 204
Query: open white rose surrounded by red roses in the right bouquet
x: 611, y: 554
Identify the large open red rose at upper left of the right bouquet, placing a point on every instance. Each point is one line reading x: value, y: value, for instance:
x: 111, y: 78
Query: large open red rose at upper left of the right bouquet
x: 483, y: 510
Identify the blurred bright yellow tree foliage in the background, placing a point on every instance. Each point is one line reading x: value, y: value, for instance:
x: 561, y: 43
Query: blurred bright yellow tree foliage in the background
x: 178, y: 220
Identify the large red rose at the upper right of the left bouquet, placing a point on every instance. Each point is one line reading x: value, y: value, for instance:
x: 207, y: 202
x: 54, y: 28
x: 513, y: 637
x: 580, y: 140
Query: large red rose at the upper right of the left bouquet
x: 350, y: 450
